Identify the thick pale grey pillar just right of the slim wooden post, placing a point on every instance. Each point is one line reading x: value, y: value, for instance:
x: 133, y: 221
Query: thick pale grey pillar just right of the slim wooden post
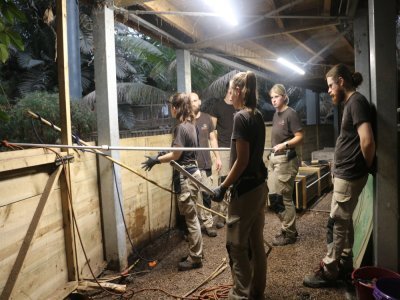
x: 108, y: 134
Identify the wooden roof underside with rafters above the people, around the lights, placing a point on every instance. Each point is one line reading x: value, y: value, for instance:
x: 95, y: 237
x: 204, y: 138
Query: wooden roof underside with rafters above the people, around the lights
x: 306, y: 28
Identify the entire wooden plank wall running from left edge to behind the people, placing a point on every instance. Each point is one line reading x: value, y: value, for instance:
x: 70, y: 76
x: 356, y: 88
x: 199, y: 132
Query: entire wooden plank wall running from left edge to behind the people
x: 147, y: 208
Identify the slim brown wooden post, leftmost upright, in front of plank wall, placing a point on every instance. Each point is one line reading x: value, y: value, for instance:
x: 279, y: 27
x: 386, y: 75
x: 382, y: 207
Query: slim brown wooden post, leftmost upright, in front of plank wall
x: 66, y: 135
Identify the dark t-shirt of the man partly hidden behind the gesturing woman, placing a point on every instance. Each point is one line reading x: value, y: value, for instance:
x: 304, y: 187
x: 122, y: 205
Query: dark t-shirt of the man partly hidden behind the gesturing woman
x: 204, y: 127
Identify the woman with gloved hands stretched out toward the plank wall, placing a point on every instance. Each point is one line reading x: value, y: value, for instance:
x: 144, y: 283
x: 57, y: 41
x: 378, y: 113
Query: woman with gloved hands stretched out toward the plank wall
x: 184, y: 135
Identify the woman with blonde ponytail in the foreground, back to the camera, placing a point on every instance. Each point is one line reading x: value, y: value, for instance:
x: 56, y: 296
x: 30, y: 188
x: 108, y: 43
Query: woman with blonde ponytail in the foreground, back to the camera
x: 246, y: 178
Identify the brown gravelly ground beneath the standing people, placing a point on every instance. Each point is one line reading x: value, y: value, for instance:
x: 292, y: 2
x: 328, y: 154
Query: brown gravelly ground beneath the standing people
x: 286, y: 265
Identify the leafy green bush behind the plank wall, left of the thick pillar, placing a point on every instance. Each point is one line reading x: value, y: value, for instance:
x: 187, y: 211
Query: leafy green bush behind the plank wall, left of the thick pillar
x: 21, y: 127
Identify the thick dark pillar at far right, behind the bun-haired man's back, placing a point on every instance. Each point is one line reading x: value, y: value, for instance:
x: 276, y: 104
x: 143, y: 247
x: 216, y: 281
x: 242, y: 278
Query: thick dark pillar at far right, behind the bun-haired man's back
x: 384, y: 95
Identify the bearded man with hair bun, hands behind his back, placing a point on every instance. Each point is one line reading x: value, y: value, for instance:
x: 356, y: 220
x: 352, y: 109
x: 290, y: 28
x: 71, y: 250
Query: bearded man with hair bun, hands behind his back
x: 354, y: 158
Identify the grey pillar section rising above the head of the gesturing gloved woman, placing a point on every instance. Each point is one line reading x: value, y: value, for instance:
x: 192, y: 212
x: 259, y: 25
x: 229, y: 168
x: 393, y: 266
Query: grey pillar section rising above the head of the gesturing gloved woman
x: 183, y: 71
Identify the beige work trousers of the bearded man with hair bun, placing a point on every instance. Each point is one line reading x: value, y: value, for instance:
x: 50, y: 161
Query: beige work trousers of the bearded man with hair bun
x: 344, y: 201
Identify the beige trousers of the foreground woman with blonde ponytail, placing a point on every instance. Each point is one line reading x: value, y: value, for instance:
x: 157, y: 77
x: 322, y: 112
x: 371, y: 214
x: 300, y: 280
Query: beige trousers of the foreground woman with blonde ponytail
x: 249, y: 274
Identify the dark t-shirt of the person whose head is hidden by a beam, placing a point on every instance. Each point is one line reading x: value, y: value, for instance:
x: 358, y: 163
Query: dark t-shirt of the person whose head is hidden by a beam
x: 224, y: 114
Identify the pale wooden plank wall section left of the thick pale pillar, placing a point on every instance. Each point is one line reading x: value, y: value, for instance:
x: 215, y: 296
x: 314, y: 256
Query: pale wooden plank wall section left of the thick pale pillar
x: 23, y: 176
